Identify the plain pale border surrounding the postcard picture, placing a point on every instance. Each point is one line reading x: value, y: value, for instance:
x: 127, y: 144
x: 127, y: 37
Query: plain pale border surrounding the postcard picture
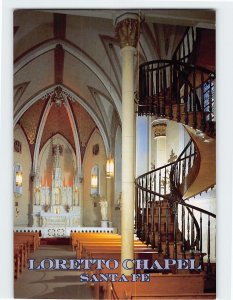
x: 224, y: 12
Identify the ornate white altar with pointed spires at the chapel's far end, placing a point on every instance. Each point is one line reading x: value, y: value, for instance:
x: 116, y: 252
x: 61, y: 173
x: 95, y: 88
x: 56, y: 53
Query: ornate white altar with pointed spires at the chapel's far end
x: 58, y: 205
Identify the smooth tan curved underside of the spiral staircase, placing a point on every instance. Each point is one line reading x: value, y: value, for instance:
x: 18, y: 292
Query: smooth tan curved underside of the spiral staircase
x: 206, y: 177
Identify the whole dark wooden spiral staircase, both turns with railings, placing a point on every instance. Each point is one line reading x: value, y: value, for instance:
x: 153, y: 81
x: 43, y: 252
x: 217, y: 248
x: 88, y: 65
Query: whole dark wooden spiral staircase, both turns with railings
x: 181, y: 91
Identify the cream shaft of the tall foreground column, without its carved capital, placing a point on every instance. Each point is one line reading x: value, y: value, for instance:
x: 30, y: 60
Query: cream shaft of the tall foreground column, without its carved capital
x: 128, y: 153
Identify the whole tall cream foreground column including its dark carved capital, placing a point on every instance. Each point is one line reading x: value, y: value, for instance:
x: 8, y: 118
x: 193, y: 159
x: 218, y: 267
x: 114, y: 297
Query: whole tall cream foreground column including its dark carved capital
x: 127, y: 32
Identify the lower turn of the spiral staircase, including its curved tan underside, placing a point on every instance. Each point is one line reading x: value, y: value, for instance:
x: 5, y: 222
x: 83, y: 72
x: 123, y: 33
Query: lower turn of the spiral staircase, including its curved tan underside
x: 173, y: 227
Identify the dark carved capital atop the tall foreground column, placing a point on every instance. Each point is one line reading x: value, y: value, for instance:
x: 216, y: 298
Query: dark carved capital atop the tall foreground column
x: 127, y: 32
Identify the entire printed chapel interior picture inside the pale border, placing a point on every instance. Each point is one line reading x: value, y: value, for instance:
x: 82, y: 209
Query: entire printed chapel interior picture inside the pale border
x: 114, y: 154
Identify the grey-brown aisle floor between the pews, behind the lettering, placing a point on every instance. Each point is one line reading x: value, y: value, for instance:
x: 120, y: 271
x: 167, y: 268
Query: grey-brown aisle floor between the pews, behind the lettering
x: 49, y: 284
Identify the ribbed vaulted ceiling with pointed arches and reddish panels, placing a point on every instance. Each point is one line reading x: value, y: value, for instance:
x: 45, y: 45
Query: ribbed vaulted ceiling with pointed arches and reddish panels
x: 78, y: 51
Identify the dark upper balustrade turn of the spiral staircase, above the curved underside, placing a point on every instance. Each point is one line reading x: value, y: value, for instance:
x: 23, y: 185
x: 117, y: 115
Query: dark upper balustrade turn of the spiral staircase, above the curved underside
x: 164, y: 84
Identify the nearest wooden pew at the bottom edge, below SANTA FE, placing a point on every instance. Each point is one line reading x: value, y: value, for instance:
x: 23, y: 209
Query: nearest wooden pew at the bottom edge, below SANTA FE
x: 160, y: 285
